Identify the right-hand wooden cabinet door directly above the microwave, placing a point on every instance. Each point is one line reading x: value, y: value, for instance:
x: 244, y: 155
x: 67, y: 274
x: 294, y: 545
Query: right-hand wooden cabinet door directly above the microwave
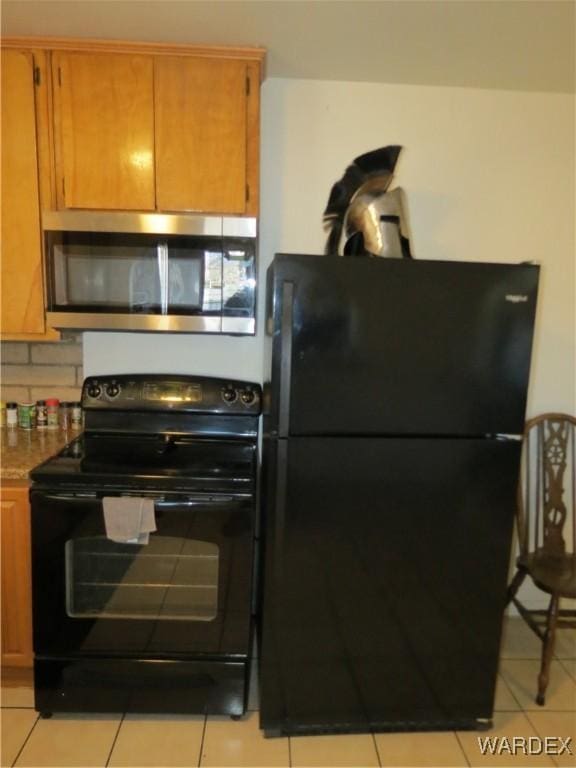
x: 200, y: 108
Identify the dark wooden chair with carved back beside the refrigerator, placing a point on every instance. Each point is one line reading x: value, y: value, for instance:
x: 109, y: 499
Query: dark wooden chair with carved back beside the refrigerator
x: 546, y: 525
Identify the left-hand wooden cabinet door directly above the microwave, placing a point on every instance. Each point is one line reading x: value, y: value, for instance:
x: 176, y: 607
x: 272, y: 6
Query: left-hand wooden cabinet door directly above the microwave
x: 104, y: 124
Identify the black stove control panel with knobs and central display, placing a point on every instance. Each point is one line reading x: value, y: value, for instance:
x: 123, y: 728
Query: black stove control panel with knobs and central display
x: 171, y: 392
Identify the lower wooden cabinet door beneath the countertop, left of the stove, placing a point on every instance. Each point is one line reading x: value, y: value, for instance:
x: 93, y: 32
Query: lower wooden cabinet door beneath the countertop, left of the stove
x: 16, y: 578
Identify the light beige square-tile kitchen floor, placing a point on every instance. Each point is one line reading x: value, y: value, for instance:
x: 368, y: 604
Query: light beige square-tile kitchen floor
x: 163, y: 741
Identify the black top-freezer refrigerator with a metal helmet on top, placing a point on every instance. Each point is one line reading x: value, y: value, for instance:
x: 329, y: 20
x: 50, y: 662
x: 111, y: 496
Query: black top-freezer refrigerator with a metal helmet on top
x: 393, y: 414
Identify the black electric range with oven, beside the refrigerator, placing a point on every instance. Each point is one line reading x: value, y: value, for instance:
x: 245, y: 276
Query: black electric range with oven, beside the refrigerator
x: 163, y: 626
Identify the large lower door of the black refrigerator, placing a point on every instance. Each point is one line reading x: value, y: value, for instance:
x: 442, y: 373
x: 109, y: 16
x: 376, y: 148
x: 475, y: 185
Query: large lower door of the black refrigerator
x: 385, y: 572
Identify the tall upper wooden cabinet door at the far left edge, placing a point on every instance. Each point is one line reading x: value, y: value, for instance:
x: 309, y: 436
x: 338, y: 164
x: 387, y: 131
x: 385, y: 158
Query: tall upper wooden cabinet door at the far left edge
x: 22, y: 281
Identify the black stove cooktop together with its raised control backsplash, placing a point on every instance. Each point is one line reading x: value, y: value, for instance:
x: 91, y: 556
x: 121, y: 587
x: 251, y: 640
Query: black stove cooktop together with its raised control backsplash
x: 162, y: 431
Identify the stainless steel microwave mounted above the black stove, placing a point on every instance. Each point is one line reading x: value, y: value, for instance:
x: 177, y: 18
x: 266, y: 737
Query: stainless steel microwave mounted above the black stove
x: 150, y: 272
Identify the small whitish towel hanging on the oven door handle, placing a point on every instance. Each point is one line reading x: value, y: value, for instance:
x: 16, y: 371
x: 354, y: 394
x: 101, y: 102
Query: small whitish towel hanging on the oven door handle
x: 128, y: 519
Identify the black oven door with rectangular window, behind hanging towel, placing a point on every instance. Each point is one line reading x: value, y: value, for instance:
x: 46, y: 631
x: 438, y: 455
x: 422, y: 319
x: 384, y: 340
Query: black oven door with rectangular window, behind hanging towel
x: 186, y: 592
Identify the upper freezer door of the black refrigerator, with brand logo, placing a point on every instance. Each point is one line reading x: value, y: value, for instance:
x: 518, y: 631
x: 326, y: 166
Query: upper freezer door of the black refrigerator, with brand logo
x: 386, y: 346
